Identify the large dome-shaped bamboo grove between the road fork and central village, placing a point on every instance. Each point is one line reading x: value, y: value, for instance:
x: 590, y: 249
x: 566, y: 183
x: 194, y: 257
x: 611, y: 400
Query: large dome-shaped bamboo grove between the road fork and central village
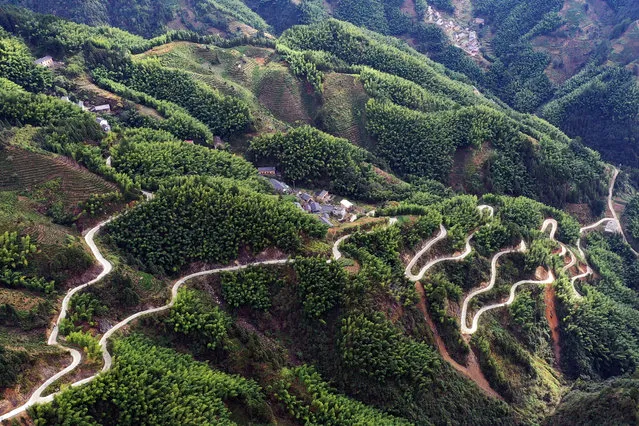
x: 209, y: 220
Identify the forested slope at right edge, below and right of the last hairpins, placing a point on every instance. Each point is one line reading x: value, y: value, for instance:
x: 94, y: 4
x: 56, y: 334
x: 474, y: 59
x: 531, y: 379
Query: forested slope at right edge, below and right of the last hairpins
x: 600, y: 332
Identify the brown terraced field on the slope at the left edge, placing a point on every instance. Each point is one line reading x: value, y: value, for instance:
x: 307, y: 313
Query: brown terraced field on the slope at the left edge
x: 24, y: 169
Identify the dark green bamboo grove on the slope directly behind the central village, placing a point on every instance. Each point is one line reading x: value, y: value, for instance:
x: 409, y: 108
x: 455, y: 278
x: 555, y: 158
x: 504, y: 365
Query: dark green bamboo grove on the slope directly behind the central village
x: 306, y: 155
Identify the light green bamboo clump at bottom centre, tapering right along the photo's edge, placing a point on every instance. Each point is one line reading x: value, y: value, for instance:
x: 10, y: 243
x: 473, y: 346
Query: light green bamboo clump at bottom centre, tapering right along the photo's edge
x: 309, y: 399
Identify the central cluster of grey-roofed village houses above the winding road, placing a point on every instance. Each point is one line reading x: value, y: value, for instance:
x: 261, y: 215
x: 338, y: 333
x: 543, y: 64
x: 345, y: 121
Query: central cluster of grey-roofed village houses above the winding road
x: 321, y: 203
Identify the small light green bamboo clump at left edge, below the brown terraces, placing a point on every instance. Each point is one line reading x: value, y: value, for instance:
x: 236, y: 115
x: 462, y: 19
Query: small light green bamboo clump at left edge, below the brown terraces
x: 14, y: 258
